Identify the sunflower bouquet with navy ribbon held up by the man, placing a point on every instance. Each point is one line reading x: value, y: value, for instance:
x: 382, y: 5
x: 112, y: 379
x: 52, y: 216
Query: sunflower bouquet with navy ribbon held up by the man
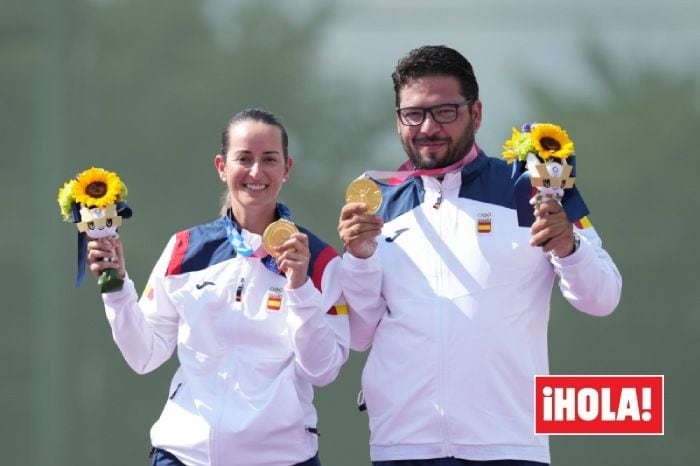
x: 543, y: 168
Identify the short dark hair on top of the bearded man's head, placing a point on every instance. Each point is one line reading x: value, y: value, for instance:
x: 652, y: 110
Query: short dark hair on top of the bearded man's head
x: 435, y: 60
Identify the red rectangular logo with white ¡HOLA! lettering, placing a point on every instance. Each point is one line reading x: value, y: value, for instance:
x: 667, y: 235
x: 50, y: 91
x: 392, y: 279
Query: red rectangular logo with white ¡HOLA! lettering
x: 599, y: 404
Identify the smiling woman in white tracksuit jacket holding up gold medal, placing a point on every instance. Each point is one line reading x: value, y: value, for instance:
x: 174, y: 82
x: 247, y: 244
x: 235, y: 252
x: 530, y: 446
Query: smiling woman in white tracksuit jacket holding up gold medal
x: 253, y: 333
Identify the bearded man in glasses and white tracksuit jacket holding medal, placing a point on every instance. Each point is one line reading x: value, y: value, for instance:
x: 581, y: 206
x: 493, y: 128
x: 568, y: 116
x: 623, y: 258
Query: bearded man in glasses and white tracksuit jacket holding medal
x: 456, y: 313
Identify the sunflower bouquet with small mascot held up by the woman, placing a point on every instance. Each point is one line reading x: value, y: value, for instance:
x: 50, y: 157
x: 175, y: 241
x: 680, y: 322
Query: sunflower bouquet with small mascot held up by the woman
x: 95, y: 200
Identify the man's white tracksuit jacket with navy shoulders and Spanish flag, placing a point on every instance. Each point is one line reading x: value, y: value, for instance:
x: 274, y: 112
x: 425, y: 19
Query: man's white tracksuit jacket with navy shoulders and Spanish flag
x: 455, y: 304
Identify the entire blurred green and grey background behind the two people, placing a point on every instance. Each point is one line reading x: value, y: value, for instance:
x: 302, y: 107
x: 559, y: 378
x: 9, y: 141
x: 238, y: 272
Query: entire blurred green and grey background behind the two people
x: 144, y: 88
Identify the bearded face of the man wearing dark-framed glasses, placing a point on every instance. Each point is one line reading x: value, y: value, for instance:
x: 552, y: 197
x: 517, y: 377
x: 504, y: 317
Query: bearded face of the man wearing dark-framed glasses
x: 432, y: 144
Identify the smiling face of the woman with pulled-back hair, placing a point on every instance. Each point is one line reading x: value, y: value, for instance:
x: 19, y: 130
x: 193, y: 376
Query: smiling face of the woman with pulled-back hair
x: 254, y: 167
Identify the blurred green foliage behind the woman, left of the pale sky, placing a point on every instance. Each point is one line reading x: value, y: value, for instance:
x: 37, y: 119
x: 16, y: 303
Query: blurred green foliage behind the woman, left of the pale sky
x: 143, y: 89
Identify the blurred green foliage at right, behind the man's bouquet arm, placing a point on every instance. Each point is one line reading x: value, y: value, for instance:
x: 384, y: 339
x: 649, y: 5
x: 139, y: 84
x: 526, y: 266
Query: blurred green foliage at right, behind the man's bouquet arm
x: 635, y: 144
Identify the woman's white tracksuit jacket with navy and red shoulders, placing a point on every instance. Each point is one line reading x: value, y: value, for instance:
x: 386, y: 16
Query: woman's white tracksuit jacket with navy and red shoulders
x: 249, y: 349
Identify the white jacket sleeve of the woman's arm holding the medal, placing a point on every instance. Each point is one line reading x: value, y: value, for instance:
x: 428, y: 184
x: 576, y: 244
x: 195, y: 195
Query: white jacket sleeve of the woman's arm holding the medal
x: 317, y: 321
